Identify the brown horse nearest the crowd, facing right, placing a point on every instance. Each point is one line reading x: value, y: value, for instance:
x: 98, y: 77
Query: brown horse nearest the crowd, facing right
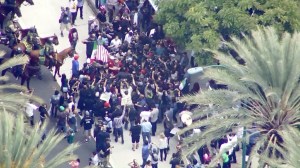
x: 59, y: 59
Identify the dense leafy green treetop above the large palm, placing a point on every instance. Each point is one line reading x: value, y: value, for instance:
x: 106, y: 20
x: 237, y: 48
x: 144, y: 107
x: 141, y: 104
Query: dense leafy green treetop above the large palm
x: 201, y: 24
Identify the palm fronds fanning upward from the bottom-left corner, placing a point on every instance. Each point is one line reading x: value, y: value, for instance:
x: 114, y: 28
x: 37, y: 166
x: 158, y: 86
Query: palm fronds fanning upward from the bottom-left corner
x: 21, y: 146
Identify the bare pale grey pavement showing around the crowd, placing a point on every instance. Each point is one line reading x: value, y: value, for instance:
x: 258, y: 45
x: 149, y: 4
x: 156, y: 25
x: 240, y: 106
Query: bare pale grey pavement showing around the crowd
x: 44, y: 16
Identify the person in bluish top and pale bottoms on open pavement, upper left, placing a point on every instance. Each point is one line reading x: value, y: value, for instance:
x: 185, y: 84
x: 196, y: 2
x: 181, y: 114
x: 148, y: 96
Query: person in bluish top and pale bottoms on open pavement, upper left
x: 65, y: 20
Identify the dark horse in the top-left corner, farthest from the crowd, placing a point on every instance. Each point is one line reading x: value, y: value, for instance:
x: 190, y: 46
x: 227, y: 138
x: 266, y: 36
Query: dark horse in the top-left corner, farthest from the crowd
x: 5, y: 9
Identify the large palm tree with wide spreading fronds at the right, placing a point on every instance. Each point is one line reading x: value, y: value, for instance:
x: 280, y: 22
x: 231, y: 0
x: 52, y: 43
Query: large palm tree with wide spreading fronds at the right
x: 266, y: 86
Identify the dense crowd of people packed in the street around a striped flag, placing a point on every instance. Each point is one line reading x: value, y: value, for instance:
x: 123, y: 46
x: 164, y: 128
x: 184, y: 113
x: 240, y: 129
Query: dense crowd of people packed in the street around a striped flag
x: 136, y: 87
